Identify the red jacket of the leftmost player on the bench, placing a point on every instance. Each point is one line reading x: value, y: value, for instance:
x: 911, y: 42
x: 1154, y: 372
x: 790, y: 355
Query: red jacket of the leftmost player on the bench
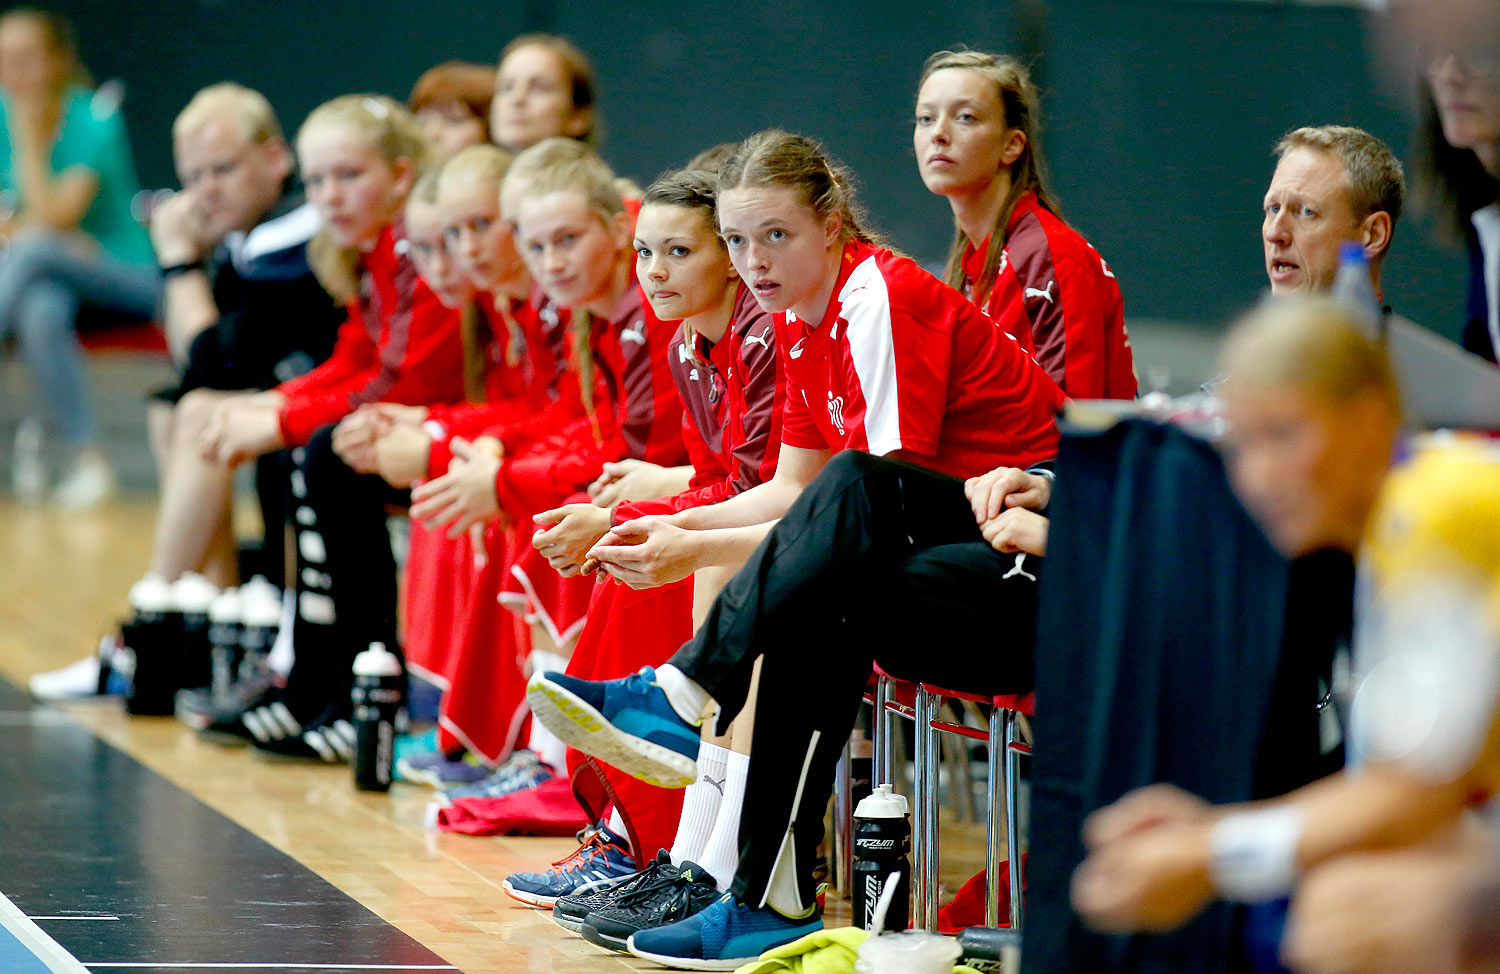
x: 398, y: 344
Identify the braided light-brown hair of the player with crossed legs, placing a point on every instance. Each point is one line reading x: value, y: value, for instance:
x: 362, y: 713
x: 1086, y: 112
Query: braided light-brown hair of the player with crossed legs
x: 779, y: 158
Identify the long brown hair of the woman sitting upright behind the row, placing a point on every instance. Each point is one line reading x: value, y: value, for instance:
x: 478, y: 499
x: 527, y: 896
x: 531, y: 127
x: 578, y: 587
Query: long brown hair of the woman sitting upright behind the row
x: 1021, y: 104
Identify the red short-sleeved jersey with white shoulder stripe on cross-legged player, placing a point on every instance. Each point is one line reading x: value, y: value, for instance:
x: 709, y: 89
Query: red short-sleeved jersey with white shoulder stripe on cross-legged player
x: 904, y: 362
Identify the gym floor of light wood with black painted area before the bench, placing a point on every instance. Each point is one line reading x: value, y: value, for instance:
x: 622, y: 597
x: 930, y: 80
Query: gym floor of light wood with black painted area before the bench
x: 71, y: 783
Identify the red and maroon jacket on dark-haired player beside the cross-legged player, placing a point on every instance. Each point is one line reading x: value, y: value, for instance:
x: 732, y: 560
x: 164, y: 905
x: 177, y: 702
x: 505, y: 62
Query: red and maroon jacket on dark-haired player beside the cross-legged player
x: 733, y: 398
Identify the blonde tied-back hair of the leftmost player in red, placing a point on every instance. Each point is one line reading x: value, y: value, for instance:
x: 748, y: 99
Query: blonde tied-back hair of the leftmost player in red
x: 391, y: 131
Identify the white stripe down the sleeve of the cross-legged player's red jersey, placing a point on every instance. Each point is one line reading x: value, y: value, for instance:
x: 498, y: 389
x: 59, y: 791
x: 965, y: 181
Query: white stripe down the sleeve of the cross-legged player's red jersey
x: 868, y: 313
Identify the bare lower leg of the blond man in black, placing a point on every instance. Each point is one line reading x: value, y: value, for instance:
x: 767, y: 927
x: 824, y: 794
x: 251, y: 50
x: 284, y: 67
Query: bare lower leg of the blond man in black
x: 196, y: 498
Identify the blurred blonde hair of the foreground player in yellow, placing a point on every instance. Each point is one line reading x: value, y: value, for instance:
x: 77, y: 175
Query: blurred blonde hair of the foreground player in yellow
x: 1310, y: 343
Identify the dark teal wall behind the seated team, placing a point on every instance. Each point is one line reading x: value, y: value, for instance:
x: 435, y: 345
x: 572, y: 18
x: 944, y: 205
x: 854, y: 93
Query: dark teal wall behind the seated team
x: 1160, y: 116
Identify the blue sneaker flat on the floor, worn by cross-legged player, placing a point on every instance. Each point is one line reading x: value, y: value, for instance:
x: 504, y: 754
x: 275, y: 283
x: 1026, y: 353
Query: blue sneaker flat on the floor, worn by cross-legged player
x: 724, y: 937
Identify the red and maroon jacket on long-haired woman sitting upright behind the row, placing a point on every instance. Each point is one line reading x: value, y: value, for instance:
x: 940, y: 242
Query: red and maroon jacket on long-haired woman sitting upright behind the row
x: 1061, y: 301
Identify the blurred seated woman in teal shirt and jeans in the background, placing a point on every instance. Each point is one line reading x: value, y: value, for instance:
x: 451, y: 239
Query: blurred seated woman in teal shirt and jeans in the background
x: 67, y: 182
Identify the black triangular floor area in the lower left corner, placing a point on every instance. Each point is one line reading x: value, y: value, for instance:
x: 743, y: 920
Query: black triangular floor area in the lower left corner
x: 86, y: 829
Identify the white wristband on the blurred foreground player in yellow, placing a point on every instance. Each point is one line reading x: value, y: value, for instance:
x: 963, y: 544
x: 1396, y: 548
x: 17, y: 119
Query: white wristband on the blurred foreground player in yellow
x: 1255, y: 855
